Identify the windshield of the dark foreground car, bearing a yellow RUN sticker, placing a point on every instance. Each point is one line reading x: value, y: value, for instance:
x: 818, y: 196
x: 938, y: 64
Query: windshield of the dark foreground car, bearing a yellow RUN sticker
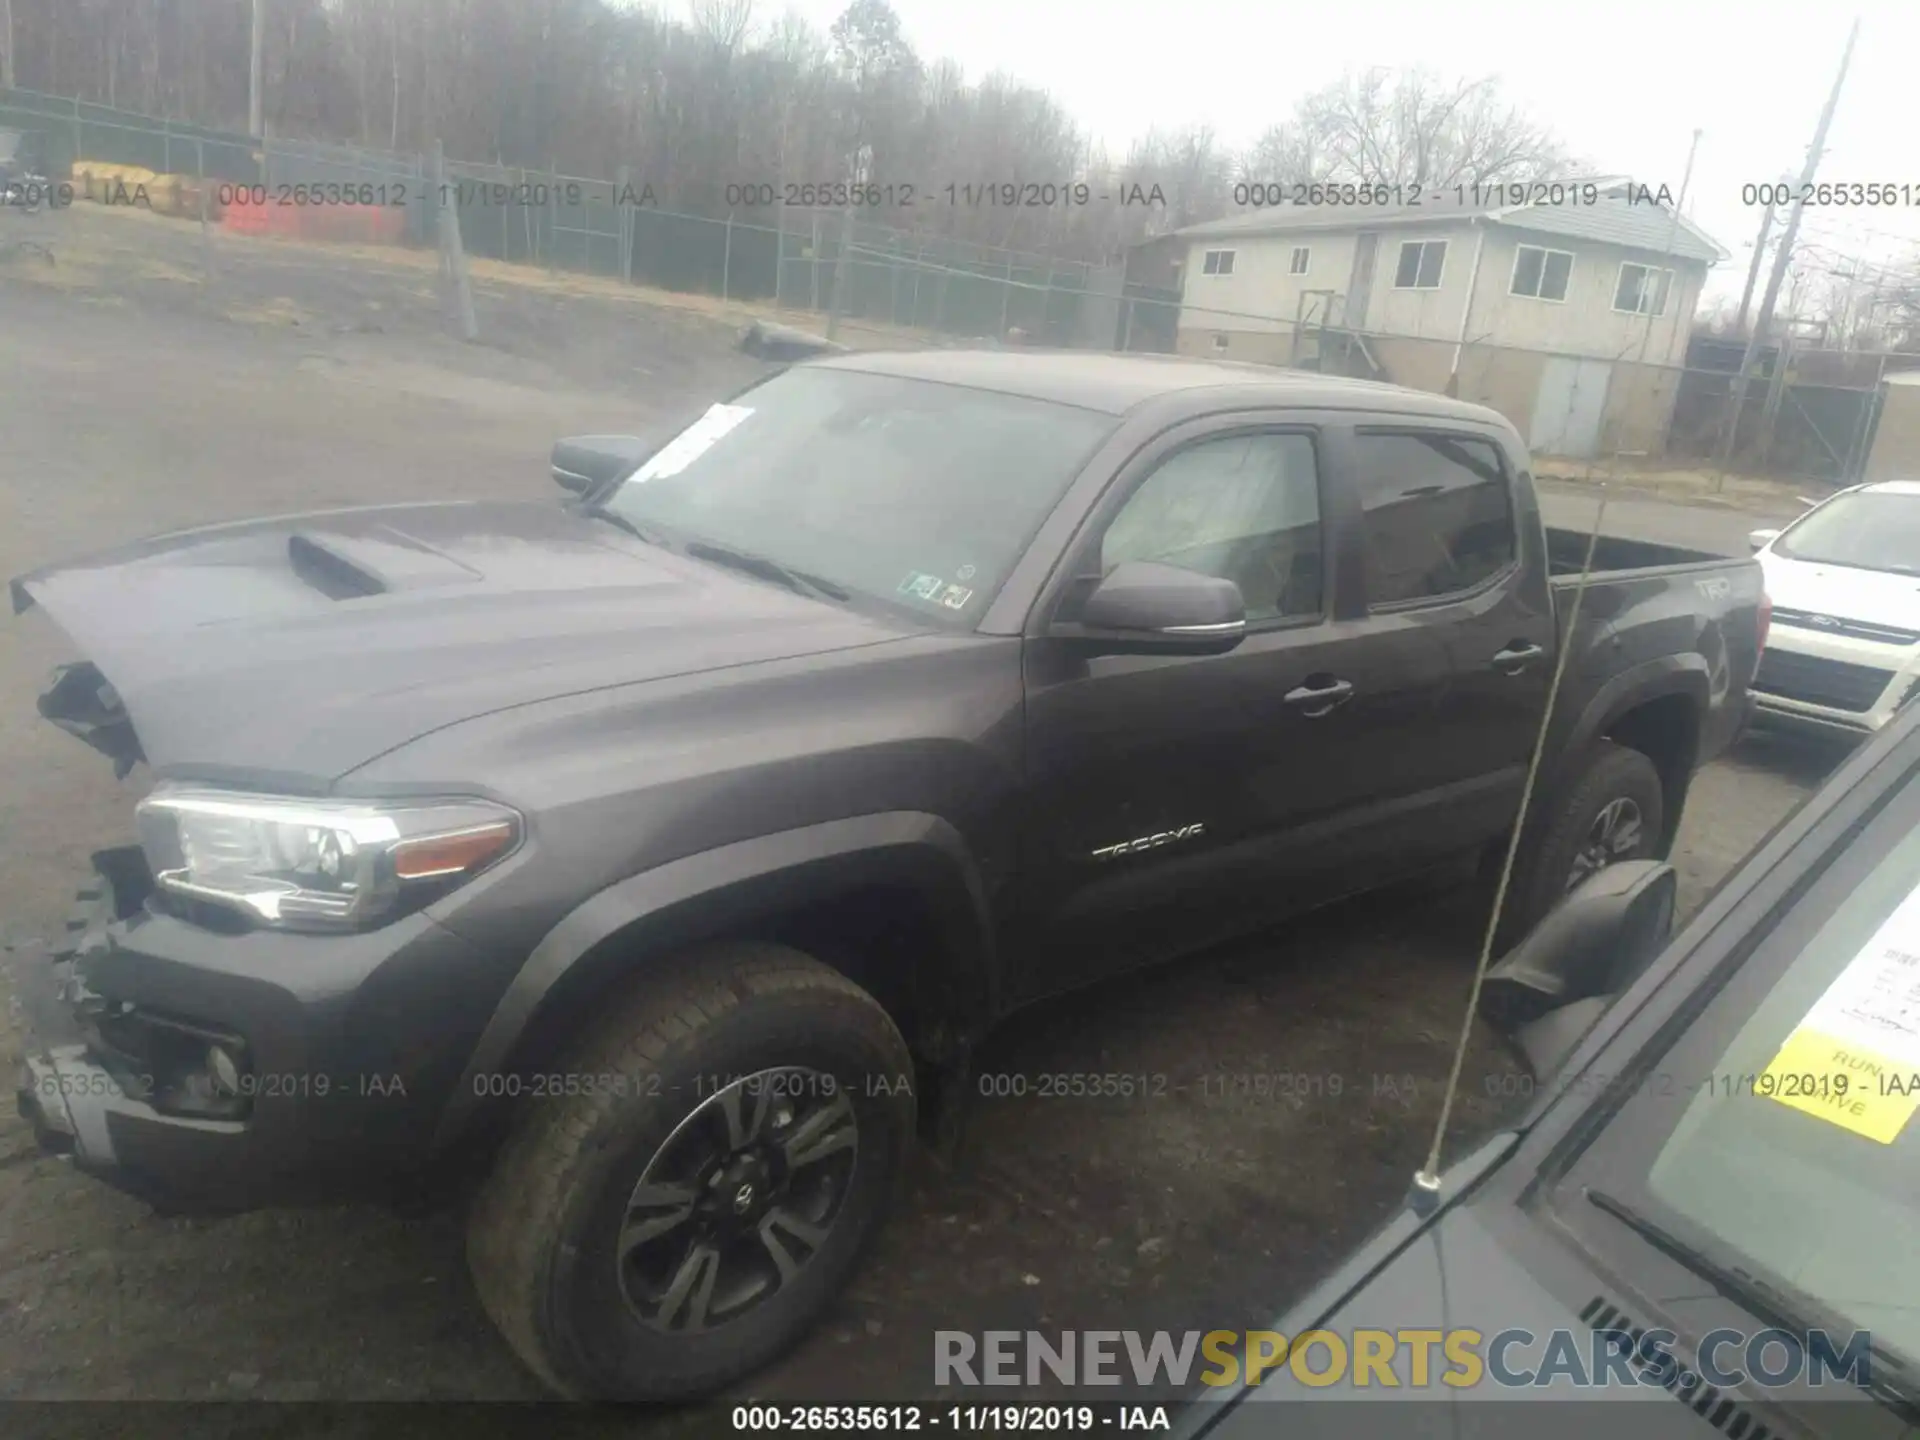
x: 1781, y: 1130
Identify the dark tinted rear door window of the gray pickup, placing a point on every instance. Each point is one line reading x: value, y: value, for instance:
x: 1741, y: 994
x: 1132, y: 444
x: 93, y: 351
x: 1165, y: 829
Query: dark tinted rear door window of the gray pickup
x: 1437, y: 514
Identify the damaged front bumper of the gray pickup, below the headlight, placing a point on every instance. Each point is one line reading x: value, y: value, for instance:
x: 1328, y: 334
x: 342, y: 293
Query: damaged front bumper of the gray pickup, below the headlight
x: 337, y: 1053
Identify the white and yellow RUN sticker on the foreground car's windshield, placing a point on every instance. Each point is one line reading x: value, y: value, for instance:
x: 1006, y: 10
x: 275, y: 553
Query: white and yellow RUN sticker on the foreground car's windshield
x: 1856, y: 1059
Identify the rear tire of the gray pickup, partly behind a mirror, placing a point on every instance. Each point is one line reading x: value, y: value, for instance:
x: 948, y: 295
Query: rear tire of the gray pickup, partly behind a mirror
x: 1547, y: 869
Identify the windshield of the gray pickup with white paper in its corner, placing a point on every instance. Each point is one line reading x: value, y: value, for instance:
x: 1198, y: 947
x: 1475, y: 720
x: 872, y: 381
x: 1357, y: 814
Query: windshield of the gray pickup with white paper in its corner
x: 901, y: 491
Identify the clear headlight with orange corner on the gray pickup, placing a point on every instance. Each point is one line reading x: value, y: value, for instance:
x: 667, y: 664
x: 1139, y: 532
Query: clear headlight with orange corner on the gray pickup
x: 318, y: 865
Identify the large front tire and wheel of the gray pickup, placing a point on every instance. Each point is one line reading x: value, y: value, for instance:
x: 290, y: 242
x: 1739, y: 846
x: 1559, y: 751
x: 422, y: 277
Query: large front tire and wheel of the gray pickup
x: 658, y: 1067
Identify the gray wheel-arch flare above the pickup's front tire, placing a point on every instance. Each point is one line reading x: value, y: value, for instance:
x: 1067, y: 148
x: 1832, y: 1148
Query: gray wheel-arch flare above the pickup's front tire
x: 702, y: 896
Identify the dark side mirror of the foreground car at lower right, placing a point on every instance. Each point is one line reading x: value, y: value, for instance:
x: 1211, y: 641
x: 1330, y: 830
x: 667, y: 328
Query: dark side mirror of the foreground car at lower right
x: 1564, y: 976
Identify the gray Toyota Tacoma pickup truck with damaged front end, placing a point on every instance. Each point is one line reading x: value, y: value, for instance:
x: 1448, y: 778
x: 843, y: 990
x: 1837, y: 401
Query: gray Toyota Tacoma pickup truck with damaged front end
x: 646, y: 863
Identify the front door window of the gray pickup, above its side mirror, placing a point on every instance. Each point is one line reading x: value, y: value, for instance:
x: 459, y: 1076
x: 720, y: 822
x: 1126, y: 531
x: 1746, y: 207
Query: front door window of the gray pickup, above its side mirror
x: 1241, y: 508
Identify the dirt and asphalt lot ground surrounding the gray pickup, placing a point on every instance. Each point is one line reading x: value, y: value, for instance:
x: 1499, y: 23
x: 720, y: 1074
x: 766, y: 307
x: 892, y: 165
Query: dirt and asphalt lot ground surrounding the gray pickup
x: 137, y: 396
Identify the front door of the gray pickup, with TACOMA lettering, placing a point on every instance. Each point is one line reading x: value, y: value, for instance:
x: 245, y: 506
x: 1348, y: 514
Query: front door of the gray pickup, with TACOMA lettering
x: 1178, y: 802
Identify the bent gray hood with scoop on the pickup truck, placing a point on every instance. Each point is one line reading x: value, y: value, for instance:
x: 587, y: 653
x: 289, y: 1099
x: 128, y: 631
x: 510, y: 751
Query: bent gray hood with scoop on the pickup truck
x: 295, y: 650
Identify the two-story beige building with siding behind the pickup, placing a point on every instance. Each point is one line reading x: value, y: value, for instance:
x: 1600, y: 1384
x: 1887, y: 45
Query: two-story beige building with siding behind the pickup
x: 1570, y: 312
